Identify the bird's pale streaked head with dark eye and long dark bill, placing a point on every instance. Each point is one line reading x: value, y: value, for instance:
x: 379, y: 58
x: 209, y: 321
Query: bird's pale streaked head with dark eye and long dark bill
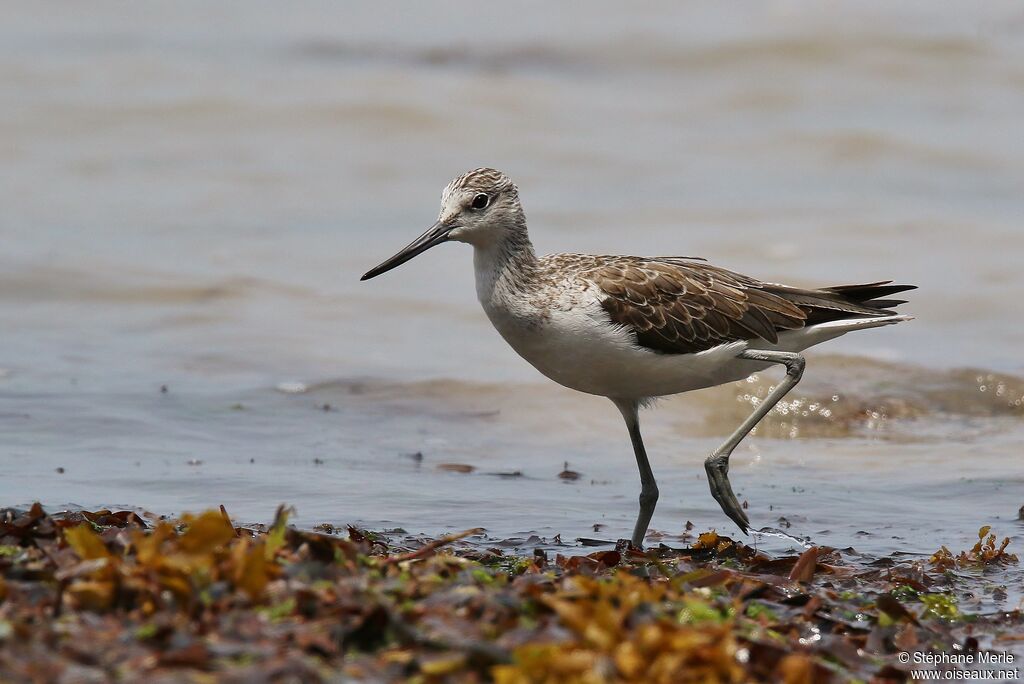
x: 481, y: 207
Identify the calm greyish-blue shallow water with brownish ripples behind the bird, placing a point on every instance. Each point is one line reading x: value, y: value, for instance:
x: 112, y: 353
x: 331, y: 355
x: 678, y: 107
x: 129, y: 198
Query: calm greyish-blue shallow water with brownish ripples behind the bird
x: 190, y: 196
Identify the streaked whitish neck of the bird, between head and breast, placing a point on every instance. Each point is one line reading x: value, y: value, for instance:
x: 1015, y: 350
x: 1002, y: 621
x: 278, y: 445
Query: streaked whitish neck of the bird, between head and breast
x: 504, y: 268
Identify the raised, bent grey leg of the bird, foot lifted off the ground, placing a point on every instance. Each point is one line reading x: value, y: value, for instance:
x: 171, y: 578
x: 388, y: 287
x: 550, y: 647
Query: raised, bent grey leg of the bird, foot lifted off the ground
x: 717, y: 464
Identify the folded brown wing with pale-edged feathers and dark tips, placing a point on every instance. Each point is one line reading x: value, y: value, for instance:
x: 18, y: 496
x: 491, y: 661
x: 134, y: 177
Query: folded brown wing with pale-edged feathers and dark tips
x: 679, y: 307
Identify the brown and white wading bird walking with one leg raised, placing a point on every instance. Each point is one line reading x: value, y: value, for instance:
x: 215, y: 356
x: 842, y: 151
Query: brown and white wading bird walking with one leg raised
x: 634, y: 329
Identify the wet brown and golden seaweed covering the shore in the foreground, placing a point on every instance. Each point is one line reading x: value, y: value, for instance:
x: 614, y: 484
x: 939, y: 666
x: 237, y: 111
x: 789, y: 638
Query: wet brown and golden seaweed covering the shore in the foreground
x: 116, y: 596
